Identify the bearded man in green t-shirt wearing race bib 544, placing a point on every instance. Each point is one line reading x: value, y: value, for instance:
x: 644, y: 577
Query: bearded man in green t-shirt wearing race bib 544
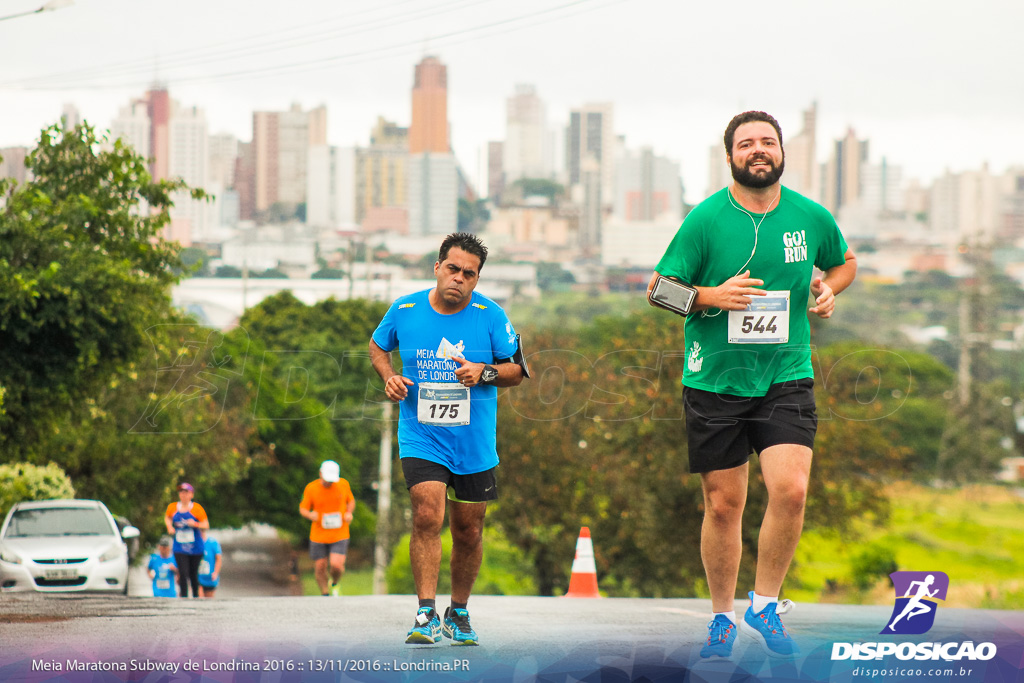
x: 750, y: 251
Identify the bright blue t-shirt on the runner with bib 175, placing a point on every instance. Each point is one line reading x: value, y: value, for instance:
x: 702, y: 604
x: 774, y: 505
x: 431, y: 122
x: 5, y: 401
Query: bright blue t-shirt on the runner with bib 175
x: 426, y: 340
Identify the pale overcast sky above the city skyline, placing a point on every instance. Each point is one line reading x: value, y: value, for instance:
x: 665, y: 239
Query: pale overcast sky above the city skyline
x: 933, y: 86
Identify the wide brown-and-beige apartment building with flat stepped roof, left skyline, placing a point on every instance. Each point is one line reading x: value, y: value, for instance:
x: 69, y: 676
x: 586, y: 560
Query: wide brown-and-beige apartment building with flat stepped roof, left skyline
x: 281, y: 151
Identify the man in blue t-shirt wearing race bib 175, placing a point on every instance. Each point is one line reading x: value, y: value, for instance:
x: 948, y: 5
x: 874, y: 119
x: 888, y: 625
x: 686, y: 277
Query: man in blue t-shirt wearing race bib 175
x: 457, y: 348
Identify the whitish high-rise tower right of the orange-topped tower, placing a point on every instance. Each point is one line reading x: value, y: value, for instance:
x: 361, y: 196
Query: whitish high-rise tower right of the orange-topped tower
x: 528, y: 149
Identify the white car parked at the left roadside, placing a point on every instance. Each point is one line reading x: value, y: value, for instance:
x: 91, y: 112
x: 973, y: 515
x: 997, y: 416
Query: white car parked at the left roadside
x: 60, y: 546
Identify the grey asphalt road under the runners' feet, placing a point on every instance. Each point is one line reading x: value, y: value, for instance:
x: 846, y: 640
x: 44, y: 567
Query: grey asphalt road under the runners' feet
x: 247, y: 635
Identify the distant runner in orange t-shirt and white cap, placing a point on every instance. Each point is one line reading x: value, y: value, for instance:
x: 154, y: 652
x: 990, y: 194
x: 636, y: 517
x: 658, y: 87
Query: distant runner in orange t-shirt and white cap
x: 328, y: 503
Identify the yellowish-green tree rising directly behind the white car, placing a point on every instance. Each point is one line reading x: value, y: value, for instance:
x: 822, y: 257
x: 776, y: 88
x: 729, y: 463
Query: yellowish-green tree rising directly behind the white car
x: 180, y: 412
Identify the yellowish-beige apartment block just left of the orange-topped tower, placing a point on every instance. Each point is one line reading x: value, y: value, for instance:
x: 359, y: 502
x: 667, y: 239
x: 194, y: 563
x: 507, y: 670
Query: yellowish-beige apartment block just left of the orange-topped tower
x: 382, y: 180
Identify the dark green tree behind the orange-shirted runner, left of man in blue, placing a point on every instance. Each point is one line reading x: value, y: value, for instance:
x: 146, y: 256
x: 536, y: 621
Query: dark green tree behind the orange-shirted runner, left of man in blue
x: 317, y: 357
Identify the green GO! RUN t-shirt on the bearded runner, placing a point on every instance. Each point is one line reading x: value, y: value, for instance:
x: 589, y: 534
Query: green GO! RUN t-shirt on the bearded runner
x: 745, y: 353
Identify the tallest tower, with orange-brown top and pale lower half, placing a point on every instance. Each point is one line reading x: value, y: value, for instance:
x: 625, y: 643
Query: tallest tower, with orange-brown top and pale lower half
x: 433, y: 179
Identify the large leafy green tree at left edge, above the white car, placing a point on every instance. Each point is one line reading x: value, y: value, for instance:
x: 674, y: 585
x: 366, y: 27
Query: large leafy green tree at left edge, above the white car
x: 84, y: 272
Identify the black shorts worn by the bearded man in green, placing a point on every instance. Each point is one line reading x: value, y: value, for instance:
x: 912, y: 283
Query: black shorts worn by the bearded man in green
x: 722, y: 430
